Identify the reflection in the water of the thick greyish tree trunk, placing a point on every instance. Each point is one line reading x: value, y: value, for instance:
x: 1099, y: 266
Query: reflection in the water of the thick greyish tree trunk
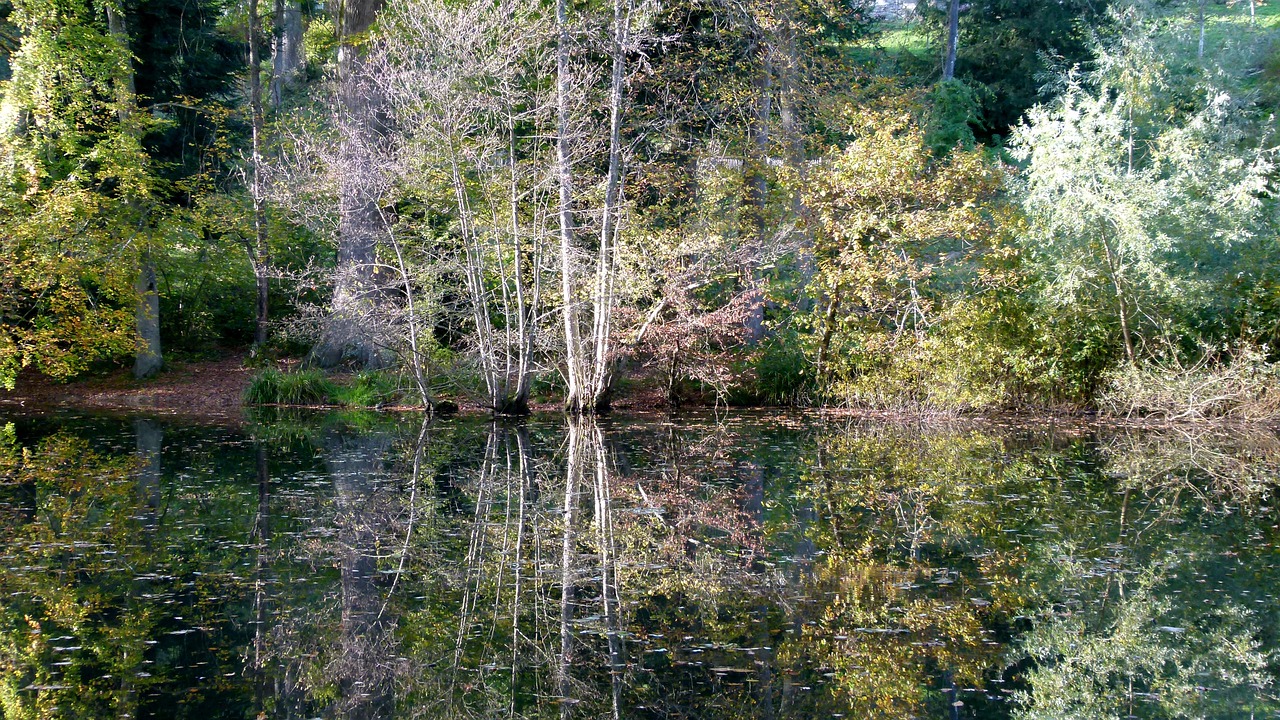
x: 364, y: 671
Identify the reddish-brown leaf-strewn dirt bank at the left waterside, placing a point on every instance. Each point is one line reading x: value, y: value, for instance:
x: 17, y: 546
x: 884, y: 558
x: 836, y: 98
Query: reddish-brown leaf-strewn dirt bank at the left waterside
x: 196, y: 390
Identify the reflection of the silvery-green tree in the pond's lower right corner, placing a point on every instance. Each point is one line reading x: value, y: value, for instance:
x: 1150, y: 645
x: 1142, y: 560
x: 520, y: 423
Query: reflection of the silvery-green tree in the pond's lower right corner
x: 1144, y: 655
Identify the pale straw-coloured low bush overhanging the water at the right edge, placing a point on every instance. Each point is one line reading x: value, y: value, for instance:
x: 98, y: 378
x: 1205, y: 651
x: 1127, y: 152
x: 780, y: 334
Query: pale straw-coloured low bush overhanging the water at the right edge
x: 1244, y: 388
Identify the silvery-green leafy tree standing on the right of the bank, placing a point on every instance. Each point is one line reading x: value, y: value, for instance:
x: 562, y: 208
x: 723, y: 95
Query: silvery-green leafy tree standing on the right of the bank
x: 1133, y: 199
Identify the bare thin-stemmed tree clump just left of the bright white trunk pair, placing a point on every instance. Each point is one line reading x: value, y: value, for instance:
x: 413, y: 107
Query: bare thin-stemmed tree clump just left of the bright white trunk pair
x: 461, y: 80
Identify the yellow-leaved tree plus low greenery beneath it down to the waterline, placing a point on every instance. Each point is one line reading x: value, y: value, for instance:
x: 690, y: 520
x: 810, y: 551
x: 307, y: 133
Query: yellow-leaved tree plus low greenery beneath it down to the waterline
x: 900, y: 238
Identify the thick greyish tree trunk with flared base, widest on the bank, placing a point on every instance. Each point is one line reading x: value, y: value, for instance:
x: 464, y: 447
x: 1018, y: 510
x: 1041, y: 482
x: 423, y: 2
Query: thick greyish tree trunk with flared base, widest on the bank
x: 349, y: 338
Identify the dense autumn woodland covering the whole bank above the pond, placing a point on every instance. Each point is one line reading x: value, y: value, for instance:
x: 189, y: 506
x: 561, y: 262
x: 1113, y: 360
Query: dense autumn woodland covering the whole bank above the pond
x: 931, y: 207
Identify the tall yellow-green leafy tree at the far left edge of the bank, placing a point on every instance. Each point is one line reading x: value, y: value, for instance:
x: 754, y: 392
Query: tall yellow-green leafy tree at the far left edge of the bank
x: 79, y: 190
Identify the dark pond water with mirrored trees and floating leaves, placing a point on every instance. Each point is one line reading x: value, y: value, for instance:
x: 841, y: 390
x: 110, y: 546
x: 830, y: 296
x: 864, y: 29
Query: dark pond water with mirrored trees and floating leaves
x: 356, y: 567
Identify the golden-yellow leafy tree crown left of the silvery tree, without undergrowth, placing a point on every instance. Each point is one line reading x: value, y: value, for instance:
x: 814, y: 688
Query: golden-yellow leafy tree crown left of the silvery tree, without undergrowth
x: 894, y: 227
